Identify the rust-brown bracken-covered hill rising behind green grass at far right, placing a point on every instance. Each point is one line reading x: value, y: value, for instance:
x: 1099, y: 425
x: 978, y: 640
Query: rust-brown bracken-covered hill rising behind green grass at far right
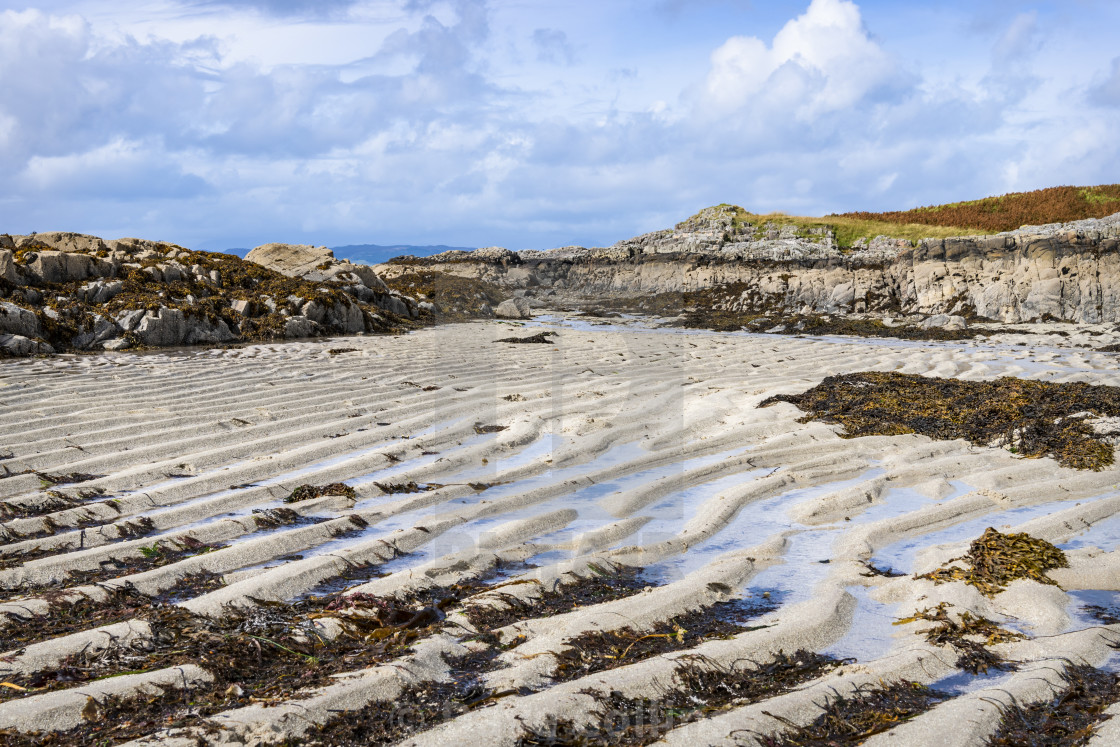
x: 1012, y: 211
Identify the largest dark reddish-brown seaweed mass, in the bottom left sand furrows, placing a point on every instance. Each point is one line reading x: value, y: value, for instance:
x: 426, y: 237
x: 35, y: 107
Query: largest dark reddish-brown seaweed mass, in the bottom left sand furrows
x: 267, y: 653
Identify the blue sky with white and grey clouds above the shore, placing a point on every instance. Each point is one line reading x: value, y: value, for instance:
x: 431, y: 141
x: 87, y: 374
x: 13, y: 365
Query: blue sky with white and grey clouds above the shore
x: 531, y: 125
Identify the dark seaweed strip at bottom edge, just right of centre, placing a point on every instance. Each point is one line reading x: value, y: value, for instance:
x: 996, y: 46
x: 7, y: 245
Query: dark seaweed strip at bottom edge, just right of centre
x: 702, y: 689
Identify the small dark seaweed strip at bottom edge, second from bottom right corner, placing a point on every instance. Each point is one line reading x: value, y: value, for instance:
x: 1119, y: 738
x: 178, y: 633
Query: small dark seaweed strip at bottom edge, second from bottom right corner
x: 850, y: 721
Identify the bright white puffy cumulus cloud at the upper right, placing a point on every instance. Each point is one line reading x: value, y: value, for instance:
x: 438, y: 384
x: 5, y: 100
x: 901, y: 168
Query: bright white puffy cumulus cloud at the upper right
x: 824, y: 61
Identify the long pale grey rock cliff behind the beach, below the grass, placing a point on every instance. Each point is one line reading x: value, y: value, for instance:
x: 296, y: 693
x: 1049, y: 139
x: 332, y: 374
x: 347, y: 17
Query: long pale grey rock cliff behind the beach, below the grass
x: 1063, y: 272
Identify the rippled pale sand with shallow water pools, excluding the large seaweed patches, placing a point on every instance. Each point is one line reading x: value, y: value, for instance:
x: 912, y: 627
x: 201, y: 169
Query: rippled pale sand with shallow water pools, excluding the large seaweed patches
x: 618, y: 446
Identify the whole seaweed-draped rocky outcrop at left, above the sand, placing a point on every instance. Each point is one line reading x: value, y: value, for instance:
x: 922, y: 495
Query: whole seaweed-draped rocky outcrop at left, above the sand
x: 66, y: 292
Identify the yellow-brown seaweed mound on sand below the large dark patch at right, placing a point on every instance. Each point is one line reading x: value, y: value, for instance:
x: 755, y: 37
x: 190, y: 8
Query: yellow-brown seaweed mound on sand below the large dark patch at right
x: 996, y: 559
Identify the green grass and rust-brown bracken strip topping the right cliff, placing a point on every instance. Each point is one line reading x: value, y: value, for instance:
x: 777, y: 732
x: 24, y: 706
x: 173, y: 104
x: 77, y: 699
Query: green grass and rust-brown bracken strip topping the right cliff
x: 966, y: 219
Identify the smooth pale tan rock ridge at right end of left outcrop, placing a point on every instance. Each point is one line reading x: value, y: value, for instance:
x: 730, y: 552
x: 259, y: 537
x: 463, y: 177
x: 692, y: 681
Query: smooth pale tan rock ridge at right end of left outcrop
x: 320, y: 265
